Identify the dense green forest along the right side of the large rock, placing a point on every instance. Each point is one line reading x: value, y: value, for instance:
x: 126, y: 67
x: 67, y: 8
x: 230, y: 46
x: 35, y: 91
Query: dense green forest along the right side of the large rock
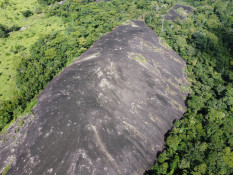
x: 201, y: 142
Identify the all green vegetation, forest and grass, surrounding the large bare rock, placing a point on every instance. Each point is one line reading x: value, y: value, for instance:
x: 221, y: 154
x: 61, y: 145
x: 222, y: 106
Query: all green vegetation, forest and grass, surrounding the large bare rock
x: 202, y: 141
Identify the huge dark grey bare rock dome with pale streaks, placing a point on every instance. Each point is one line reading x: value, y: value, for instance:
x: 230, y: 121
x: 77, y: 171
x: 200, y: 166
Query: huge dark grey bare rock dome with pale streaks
x: 106, y: 113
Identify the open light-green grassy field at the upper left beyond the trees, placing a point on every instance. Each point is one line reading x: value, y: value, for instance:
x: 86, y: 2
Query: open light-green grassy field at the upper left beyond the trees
x: 19, y: 42
